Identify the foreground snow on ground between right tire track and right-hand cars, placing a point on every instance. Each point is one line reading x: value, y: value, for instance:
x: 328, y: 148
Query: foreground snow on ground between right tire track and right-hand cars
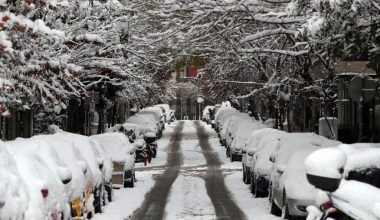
x: 254, y: 208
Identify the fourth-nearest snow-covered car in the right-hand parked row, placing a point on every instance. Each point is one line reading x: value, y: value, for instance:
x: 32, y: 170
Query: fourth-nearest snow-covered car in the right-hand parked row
x: 241, y: 132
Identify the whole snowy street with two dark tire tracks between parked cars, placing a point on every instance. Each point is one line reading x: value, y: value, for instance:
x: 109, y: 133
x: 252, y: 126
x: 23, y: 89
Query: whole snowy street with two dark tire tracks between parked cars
x: 197, y: 182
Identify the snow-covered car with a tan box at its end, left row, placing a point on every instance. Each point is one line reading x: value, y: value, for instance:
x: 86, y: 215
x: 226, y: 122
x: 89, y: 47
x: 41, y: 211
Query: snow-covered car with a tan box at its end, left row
x: 123, y: 157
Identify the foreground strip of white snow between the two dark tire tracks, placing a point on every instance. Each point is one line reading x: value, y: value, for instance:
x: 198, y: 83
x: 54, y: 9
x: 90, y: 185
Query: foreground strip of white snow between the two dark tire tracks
x: 188, y: 200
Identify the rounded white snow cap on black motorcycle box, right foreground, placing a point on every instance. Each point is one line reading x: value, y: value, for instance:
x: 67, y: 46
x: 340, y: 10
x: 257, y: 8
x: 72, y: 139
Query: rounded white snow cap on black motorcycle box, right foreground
x: 327, y: 162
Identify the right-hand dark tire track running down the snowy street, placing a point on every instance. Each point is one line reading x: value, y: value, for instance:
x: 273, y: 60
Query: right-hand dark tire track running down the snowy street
x: 225, y: 206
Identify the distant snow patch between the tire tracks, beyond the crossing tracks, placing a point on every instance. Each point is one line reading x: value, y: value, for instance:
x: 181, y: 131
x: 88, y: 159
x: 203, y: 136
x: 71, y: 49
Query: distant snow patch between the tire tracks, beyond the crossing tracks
x: 192, y: 153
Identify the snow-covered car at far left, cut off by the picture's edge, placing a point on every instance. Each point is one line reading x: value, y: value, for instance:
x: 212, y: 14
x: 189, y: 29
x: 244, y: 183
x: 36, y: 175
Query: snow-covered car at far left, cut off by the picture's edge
x: 14, y: 196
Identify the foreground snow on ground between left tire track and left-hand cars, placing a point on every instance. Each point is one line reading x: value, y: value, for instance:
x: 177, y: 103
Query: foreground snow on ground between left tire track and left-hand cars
x: 127, y: 200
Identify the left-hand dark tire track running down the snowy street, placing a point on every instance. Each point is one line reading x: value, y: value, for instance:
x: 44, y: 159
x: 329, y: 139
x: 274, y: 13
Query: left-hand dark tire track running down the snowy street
x: 153, y: 207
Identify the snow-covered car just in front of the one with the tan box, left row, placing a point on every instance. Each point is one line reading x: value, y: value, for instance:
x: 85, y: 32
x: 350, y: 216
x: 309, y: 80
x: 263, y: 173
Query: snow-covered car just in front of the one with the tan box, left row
x: 95, y: 163
